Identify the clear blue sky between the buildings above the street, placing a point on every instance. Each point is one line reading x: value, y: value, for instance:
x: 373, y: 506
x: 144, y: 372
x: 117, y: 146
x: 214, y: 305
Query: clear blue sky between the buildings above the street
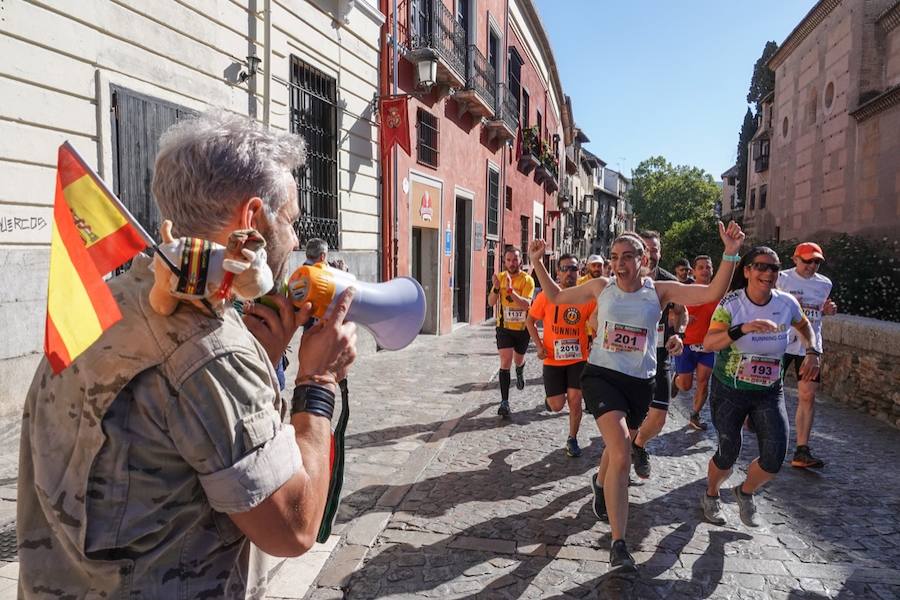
x: 663, y: 77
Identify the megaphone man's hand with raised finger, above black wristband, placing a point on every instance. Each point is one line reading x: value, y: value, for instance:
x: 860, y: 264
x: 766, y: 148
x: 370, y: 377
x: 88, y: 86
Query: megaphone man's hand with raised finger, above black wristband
x: 329, y: 348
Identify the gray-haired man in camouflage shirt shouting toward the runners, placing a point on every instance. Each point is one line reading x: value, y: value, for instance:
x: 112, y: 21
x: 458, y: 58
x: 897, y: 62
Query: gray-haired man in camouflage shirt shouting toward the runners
x: 149, y: 465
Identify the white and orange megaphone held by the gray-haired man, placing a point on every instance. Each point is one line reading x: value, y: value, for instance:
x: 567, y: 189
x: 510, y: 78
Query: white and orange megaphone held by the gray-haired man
x: 393, y: 311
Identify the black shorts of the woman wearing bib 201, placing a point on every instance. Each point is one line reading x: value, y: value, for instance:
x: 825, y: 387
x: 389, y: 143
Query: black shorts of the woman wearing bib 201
x: 605, y: 390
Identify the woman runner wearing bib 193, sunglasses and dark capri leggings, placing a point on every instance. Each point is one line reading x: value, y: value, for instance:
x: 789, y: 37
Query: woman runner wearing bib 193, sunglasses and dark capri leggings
x: 749, y: 332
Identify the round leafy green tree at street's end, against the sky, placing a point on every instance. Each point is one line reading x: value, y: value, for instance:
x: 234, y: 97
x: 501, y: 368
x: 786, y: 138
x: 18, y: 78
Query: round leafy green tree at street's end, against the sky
x: 662, y: 194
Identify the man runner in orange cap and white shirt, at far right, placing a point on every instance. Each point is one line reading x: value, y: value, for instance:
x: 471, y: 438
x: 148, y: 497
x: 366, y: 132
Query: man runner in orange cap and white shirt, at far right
x: 812, y: 291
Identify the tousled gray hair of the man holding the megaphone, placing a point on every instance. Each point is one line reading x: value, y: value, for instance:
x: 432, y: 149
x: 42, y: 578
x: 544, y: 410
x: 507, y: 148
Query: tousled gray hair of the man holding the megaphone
x: 208, y: 165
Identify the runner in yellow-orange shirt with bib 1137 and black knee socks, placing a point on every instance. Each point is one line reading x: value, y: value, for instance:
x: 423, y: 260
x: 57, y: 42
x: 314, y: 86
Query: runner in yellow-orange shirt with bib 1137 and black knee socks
x: 511, y: 292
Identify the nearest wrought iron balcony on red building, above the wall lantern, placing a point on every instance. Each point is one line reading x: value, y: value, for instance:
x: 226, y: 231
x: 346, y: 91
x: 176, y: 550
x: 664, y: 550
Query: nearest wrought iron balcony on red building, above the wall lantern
x: 435, y: 34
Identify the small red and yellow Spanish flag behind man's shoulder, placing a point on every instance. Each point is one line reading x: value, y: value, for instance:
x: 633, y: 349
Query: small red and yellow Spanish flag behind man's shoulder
x: 93, y: 234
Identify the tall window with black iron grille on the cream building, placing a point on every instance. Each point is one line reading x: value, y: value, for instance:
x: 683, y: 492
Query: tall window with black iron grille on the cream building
x: 313, y: 115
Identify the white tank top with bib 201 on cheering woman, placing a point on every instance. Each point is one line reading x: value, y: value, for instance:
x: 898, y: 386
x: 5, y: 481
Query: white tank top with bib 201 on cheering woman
x: 626, y: 334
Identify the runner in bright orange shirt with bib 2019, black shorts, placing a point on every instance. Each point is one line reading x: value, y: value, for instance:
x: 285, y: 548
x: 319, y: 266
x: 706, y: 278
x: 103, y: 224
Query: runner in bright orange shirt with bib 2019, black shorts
x: 564, y: 348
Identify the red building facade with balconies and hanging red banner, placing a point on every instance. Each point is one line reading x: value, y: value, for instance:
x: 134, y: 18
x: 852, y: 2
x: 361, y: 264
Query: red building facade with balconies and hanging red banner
x: 474, y: 72
